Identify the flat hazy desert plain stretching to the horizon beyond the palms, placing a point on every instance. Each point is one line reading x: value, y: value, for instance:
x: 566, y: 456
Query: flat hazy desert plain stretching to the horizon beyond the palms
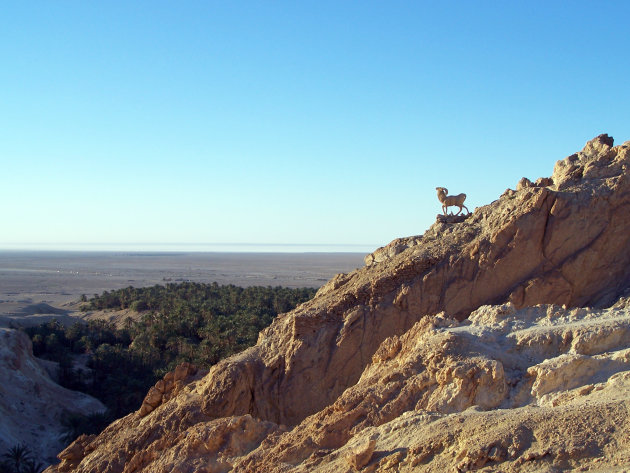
x: 38, y: 286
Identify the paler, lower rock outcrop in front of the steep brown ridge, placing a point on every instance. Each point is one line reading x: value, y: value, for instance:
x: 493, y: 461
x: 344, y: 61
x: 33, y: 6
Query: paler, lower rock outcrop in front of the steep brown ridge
x: 495, y: 389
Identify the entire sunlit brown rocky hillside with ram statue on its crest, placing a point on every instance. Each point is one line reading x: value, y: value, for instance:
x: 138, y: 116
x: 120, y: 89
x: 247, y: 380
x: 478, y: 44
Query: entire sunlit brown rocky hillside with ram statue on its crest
x: 461, y: 348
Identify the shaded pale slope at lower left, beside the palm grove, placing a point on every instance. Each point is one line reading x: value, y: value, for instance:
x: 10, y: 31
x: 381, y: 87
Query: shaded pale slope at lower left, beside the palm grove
x: 31, y: 403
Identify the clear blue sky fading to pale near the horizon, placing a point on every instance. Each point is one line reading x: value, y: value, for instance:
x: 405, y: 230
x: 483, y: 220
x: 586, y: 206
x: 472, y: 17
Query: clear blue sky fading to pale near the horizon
x: 301, y: 122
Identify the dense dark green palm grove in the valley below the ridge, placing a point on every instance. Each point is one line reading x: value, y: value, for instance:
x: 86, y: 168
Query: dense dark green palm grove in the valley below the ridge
x: 194, y: 322
